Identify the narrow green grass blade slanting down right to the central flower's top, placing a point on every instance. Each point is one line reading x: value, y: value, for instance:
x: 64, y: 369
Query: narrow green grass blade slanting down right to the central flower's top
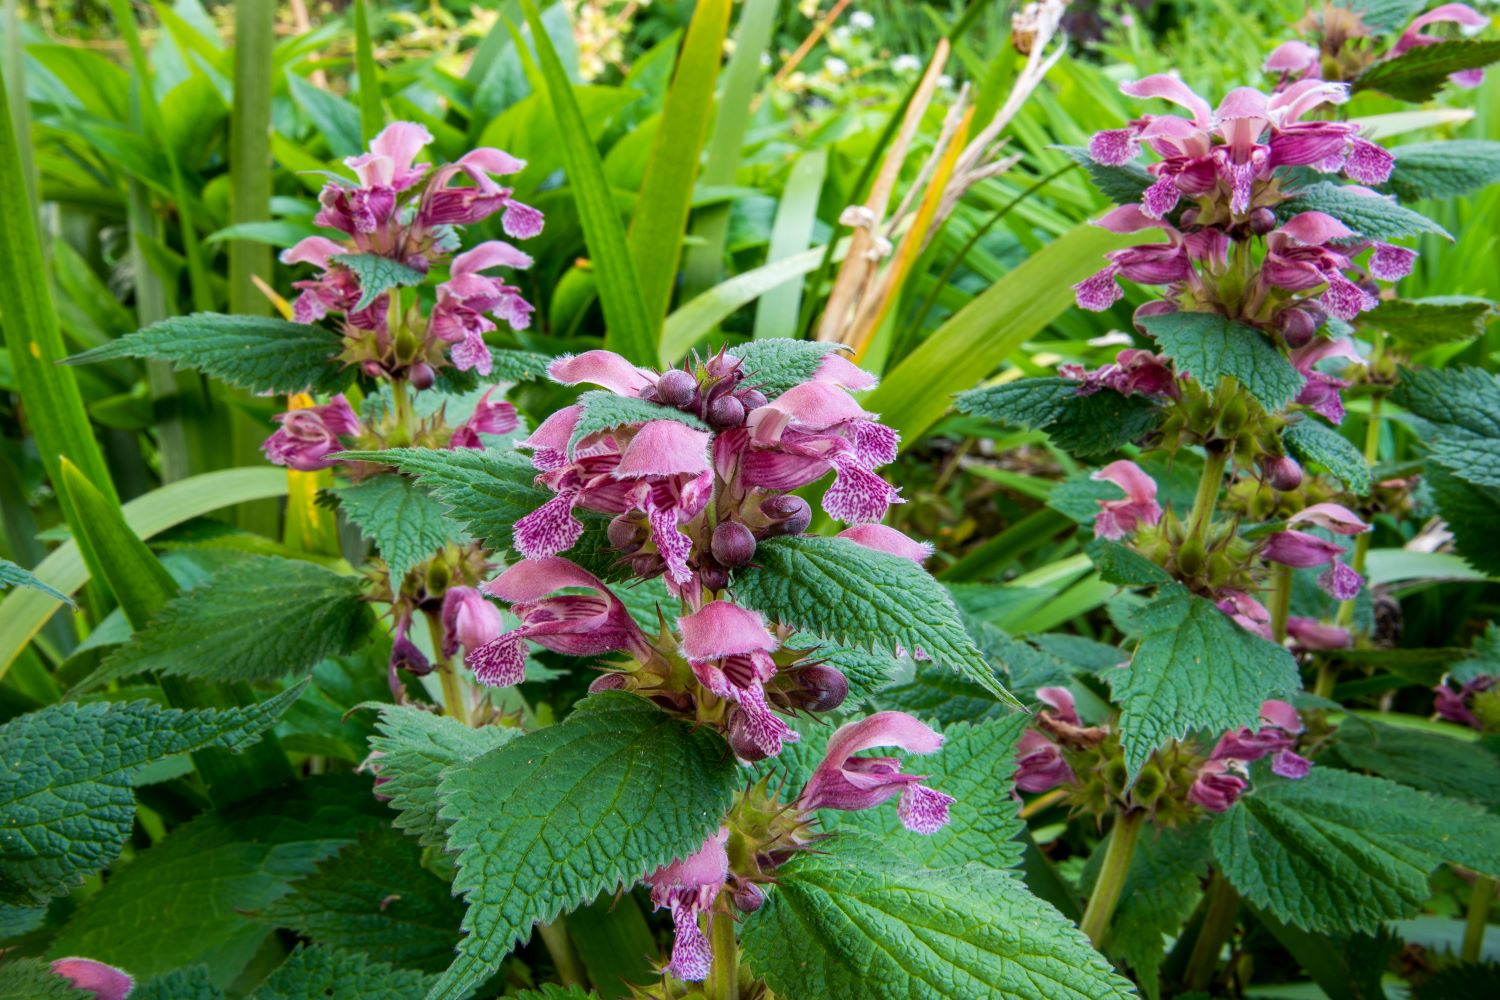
x: 629, y: 329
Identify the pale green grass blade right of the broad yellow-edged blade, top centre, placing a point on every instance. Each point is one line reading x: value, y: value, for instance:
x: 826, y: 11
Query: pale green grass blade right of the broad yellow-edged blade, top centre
x: 704, y: 262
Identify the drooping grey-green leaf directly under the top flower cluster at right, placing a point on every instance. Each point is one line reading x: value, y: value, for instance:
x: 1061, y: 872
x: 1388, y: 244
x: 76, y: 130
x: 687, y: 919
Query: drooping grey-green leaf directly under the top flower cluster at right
x: 1210, y: 347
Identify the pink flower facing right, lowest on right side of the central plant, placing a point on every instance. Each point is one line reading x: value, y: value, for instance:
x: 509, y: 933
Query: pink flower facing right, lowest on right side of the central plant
x: 844, y: 782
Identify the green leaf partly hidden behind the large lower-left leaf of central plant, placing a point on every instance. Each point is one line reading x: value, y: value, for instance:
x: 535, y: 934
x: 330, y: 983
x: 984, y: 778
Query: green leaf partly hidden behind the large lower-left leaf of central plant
x: 416, y: 749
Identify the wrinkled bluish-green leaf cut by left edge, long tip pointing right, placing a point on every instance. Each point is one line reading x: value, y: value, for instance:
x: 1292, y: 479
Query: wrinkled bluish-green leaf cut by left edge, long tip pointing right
x: 67, y: 801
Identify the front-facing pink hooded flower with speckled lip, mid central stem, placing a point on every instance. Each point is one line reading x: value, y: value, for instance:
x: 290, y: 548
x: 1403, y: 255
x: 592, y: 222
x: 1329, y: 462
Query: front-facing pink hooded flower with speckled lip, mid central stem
x: 730, y: 651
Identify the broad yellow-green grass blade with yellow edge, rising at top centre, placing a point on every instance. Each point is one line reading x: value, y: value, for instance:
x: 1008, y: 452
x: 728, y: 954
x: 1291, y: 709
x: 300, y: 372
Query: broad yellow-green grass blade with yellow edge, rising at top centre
x: 661, y: 217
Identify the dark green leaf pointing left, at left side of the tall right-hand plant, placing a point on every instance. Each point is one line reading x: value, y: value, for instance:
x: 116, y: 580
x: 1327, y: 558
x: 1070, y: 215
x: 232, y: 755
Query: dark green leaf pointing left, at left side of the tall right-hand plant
x: 1082, y: 425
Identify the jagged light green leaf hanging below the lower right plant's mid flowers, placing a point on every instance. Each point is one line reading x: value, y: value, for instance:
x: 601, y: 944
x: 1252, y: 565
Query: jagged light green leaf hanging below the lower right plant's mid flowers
x: 1195, y: 669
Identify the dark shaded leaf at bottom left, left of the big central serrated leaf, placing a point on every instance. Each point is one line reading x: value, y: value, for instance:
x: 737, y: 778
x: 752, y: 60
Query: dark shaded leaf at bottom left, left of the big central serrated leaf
x: 376, y: 897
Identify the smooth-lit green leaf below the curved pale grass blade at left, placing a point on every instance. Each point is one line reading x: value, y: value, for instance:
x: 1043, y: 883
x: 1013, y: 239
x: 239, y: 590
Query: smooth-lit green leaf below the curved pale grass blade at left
x: 256, y: 620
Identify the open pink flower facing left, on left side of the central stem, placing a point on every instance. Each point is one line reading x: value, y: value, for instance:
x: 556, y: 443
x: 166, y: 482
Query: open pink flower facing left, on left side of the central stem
x: 574, y: 624
